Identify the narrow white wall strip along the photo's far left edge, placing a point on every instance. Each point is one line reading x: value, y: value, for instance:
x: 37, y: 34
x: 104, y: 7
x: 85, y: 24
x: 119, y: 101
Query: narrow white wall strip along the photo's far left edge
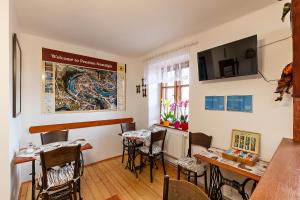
x: 4, y: 103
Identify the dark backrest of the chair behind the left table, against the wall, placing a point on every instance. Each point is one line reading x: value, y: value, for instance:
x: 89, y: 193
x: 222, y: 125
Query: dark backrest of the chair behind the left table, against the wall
x: 54, y: 136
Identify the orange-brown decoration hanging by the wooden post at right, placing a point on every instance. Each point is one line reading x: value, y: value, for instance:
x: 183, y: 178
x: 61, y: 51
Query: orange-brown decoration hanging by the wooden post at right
x: 286, y: 81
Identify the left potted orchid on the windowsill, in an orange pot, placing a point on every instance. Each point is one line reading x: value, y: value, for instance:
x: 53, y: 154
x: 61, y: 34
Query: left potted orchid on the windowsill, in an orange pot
x: 167, y: 114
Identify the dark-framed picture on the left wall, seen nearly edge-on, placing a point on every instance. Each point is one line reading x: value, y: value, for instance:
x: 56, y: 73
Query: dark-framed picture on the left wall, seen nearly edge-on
x: 17, y: 69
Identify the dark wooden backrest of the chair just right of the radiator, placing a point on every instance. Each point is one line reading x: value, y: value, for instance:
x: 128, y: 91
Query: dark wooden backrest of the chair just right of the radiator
x: 199, y: 139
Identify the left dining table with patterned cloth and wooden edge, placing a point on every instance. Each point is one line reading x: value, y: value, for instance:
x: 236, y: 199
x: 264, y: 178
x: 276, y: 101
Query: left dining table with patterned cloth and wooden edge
x: 32, y: 154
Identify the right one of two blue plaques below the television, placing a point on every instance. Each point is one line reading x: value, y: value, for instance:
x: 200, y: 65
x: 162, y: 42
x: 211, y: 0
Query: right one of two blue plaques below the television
x: 240, y: 103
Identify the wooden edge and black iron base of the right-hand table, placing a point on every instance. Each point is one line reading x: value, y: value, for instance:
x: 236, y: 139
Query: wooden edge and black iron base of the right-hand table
x: 217, y: 180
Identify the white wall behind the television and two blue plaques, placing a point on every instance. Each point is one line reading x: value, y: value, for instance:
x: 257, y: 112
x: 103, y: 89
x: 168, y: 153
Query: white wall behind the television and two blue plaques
x: 272, y: 119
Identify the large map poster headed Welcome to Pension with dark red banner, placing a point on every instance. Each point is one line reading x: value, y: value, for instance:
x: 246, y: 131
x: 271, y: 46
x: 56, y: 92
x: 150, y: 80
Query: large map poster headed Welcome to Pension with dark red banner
x: 74, y: 83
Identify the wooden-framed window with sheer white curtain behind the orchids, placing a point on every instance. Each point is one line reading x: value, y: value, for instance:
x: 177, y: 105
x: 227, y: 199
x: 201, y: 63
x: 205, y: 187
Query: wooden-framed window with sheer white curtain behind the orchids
x: 175, y: 87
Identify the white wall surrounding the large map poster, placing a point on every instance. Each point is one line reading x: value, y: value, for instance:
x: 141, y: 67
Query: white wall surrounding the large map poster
x: 106, y: 143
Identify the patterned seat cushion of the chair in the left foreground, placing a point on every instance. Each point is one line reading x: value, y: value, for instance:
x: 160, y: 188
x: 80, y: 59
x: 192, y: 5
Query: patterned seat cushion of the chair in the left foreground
x: 58, y: 176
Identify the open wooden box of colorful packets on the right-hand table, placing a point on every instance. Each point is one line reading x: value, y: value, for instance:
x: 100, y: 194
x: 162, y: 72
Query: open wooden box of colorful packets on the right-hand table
x: 245, y: 147
